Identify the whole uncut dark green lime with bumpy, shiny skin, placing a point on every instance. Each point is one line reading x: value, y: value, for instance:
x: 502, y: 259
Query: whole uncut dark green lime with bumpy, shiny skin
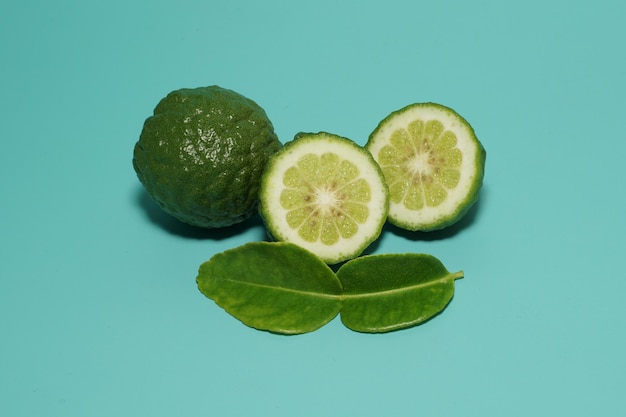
x: 201, y: 155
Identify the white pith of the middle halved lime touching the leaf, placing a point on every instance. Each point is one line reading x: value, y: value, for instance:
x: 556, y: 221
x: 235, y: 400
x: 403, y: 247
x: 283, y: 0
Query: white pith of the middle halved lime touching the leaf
x: 276, y: 215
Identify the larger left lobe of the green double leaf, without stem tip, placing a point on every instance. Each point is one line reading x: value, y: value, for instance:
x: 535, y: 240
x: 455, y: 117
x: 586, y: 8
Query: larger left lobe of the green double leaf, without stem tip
x: 273, y: 286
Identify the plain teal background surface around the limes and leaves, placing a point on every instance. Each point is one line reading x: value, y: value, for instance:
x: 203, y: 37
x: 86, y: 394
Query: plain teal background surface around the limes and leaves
x: 99, y: 310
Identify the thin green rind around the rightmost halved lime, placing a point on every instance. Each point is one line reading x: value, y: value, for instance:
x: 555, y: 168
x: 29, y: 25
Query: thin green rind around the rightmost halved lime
x: 473, y: 193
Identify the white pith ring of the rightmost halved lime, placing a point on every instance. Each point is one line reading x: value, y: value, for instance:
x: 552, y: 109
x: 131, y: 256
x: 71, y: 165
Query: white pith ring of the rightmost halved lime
x: 466, y: 143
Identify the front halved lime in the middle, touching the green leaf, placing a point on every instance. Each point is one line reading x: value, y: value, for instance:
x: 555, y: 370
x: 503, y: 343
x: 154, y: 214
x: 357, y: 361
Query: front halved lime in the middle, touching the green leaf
x: 326, y: 194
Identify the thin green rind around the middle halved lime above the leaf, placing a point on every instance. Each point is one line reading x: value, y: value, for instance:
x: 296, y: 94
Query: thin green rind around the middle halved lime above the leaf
x: 268, y: 179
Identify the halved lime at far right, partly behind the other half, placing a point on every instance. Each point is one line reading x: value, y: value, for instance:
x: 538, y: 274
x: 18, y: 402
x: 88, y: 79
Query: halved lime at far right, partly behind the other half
x: 433, y: 164
